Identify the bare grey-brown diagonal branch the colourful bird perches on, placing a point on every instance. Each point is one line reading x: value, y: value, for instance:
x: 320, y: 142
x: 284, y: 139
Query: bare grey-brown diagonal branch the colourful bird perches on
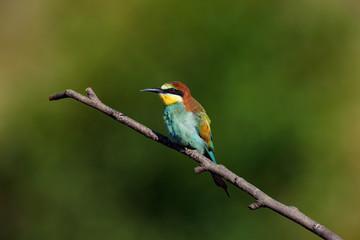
x: 262, y: 199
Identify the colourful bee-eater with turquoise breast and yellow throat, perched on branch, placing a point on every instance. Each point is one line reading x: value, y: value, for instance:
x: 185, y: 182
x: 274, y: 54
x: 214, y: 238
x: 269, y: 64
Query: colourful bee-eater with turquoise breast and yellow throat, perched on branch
x: 186, y: 122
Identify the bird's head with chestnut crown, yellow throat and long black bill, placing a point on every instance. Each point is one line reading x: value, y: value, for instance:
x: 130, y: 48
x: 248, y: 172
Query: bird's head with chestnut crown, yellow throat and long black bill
x: 171, y: 92
